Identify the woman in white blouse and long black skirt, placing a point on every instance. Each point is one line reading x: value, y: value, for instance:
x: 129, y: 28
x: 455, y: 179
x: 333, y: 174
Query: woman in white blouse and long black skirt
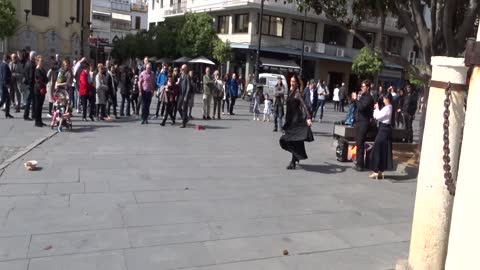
x: 381, y: 159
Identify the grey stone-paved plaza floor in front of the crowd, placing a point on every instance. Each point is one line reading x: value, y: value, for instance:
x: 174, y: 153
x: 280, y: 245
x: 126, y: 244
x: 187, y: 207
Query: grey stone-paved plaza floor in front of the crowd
x: 119, y: 195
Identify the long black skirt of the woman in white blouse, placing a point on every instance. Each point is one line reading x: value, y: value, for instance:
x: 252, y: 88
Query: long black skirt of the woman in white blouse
x: 381, y: 157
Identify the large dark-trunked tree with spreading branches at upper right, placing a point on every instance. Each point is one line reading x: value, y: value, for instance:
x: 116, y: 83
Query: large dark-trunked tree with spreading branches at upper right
x: 442, y: 33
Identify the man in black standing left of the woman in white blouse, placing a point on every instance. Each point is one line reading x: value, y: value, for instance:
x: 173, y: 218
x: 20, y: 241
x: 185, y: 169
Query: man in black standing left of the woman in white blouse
x: 364, y: 116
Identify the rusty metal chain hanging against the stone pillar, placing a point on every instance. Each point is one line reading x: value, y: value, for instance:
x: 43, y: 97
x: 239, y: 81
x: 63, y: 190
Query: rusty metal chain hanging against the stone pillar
x: 449, y: 181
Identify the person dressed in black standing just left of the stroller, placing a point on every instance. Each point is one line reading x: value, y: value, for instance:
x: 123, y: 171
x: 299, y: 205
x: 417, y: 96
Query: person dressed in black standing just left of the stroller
x: 40, y: 90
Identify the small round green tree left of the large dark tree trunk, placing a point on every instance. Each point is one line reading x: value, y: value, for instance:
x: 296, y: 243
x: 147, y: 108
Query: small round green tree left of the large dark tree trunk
x: 367, y: 65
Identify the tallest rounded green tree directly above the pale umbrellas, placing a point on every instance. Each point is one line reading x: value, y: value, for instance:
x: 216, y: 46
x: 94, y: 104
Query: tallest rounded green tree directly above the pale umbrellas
x: 196, y: 35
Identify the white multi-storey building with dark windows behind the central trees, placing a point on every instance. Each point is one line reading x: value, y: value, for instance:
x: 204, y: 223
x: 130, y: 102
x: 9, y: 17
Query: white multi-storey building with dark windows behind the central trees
x: 328, y: 50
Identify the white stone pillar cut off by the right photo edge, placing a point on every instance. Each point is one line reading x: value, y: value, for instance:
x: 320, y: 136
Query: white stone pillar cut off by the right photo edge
x: 464, y: 233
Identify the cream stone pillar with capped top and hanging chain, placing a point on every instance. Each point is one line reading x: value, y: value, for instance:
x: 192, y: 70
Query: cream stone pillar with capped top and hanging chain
x: 433, y: 203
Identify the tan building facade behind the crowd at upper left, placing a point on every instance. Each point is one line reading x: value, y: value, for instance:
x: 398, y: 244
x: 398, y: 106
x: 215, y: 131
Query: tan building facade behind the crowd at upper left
x: 51, y: 27
